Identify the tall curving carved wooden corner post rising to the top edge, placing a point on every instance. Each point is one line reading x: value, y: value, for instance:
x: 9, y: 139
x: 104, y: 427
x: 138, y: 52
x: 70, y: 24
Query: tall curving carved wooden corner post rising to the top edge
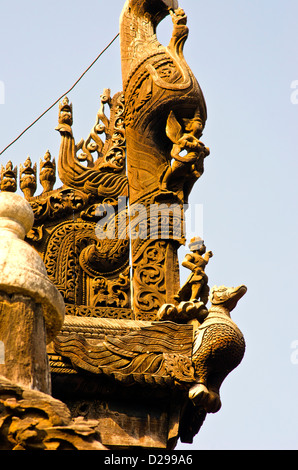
x: 165, y: 115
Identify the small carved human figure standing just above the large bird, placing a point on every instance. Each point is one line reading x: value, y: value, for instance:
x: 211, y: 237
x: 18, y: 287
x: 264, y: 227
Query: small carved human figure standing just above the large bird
x: 196, y: 286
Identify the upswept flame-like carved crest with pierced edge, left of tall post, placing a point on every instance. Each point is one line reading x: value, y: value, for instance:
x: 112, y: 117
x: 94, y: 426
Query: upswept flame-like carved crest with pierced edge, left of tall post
x: 104, y: 176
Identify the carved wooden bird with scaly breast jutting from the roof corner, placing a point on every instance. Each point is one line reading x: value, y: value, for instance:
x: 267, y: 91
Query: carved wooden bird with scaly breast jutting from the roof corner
x: 218, y: 348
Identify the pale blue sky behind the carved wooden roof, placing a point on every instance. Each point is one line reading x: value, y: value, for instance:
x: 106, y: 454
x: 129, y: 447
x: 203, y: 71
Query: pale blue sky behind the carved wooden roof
x: 244, y: 54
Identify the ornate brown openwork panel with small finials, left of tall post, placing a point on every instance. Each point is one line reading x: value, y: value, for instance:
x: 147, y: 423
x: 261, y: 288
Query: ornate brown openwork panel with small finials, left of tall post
x: 91, y: 273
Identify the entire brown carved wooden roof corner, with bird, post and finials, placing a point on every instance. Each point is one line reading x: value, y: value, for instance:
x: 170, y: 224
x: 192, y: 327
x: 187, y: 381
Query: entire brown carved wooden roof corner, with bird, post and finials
x: 108, y: 238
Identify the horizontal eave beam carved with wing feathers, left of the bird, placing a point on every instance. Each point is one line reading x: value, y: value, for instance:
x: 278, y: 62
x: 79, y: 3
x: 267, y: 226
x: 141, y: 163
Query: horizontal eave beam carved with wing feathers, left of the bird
x: 132, y: 352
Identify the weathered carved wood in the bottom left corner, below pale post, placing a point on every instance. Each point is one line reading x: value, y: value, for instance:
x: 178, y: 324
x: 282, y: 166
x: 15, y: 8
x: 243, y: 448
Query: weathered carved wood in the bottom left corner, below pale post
x: 31, y: 420
